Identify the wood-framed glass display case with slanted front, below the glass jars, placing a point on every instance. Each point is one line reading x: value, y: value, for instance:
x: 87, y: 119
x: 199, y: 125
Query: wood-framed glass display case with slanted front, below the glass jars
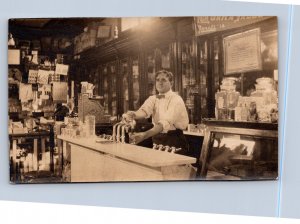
x: 240, y: 150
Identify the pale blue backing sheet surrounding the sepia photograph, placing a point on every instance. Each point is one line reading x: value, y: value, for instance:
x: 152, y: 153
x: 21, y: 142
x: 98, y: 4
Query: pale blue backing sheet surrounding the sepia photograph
x: 260, y: 198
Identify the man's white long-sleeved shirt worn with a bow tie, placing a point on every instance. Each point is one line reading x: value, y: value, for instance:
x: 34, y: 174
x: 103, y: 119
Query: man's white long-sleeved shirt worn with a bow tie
x: 169, y: 111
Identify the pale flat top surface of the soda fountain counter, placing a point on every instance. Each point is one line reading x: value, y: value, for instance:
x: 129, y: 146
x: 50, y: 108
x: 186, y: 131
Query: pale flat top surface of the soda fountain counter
x: 134, y: 153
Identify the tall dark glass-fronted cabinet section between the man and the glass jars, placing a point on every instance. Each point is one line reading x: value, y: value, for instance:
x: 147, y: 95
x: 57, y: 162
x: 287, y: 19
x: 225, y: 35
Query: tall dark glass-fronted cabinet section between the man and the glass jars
x: 197, y: 63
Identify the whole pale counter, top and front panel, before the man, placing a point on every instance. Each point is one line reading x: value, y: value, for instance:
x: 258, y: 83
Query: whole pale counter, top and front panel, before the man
x: 98, y: 162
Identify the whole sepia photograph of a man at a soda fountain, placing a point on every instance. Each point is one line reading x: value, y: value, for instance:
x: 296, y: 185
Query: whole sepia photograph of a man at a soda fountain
x: 142, y: 99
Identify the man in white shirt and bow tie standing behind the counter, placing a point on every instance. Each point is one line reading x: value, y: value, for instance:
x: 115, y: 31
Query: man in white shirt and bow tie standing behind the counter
x: 169, y: 115
